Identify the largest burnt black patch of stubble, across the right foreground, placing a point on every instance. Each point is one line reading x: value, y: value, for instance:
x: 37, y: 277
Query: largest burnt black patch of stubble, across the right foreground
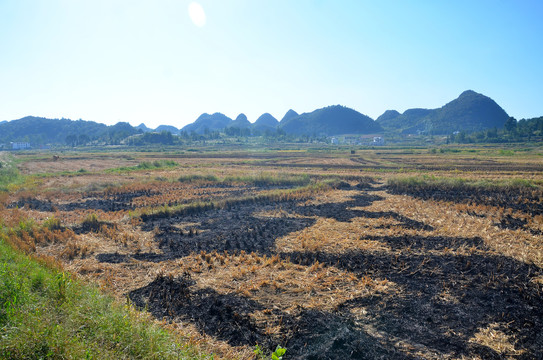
x: 443, y: 304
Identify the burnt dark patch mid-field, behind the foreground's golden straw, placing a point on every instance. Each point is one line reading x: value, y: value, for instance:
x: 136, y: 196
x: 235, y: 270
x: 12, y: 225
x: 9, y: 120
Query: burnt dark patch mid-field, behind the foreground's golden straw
x: 236, y: 228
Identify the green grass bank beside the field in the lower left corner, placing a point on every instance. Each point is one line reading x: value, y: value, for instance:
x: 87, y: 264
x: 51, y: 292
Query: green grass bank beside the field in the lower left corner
x: 46, y: 314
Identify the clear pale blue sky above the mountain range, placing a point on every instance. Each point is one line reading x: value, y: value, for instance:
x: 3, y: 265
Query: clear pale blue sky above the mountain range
x: 149, y: 61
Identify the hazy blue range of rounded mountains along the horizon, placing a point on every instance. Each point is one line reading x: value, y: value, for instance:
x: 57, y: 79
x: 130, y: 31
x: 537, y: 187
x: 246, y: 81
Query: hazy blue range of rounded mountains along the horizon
x: 469, y: 112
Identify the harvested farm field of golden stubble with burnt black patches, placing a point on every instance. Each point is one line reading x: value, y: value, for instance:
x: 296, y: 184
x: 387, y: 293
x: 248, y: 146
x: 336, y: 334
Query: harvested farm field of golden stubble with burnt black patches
x: 377, y: 253
